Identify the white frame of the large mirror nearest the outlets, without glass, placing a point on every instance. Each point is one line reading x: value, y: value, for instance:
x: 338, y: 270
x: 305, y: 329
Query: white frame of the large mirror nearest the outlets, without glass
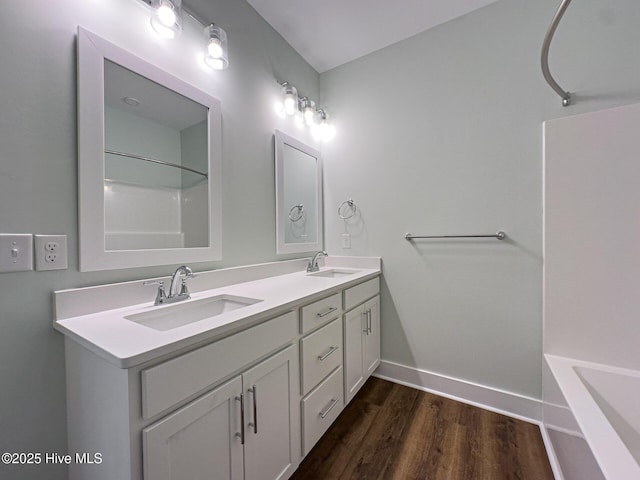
x: 92, y: 52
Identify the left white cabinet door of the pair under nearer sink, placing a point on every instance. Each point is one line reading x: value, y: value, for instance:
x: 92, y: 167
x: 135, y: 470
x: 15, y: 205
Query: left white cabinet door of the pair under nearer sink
x: 200, y: 441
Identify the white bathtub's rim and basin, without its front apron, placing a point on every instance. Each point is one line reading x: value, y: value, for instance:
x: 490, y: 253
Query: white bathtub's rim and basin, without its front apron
x: 605, y: 401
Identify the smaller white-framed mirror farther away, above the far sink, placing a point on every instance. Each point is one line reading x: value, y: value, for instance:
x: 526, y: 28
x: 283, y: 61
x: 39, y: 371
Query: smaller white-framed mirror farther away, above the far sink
x: 298, y: 196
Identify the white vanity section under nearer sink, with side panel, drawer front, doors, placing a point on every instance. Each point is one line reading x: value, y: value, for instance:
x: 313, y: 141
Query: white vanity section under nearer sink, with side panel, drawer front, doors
x: 227, y: 410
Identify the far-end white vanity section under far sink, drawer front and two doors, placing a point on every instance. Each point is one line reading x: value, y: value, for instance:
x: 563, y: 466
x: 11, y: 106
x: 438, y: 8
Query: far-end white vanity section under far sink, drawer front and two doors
x: 361, y: 335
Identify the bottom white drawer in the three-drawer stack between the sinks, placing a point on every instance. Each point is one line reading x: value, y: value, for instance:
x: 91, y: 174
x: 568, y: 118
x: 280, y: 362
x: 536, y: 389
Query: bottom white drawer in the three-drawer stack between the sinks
x: 320, y: 408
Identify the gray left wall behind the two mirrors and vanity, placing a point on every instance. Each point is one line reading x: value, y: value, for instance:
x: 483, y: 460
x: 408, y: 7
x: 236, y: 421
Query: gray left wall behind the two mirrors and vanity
x: 38, y: 161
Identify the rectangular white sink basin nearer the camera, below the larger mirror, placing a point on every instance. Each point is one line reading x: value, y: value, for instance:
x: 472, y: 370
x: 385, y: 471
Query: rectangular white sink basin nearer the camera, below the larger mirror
x: 178, y: 315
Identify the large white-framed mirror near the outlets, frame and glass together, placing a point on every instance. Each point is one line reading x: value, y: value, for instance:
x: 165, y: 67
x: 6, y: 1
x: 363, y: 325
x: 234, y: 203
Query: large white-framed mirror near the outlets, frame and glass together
x: 149, y: 163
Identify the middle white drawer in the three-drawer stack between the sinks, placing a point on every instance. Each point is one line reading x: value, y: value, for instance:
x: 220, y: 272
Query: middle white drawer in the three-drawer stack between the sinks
x: 321, y: 352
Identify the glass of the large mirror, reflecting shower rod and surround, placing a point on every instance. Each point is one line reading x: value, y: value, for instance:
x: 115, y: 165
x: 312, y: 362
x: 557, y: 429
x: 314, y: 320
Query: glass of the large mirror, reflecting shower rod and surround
x: 156, y: 165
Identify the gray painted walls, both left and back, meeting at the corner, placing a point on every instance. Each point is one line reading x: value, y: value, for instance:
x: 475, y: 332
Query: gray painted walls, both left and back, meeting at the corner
x: 440, y: 133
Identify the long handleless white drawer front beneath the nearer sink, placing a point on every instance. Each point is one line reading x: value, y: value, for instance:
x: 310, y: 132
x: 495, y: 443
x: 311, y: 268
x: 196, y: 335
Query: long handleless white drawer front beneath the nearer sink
x: 175, y: 380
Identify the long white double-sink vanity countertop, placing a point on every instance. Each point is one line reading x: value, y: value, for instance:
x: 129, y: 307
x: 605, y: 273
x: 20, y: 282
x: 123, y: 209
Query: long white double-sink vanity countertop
x: 126, y: 343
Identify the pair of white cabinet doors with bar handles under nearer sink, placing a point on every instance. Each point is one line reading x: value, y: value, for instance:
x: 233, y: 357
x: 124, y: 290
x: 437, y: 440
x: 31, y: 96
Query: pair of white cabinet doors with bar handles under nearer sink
x: 241, y: 430
